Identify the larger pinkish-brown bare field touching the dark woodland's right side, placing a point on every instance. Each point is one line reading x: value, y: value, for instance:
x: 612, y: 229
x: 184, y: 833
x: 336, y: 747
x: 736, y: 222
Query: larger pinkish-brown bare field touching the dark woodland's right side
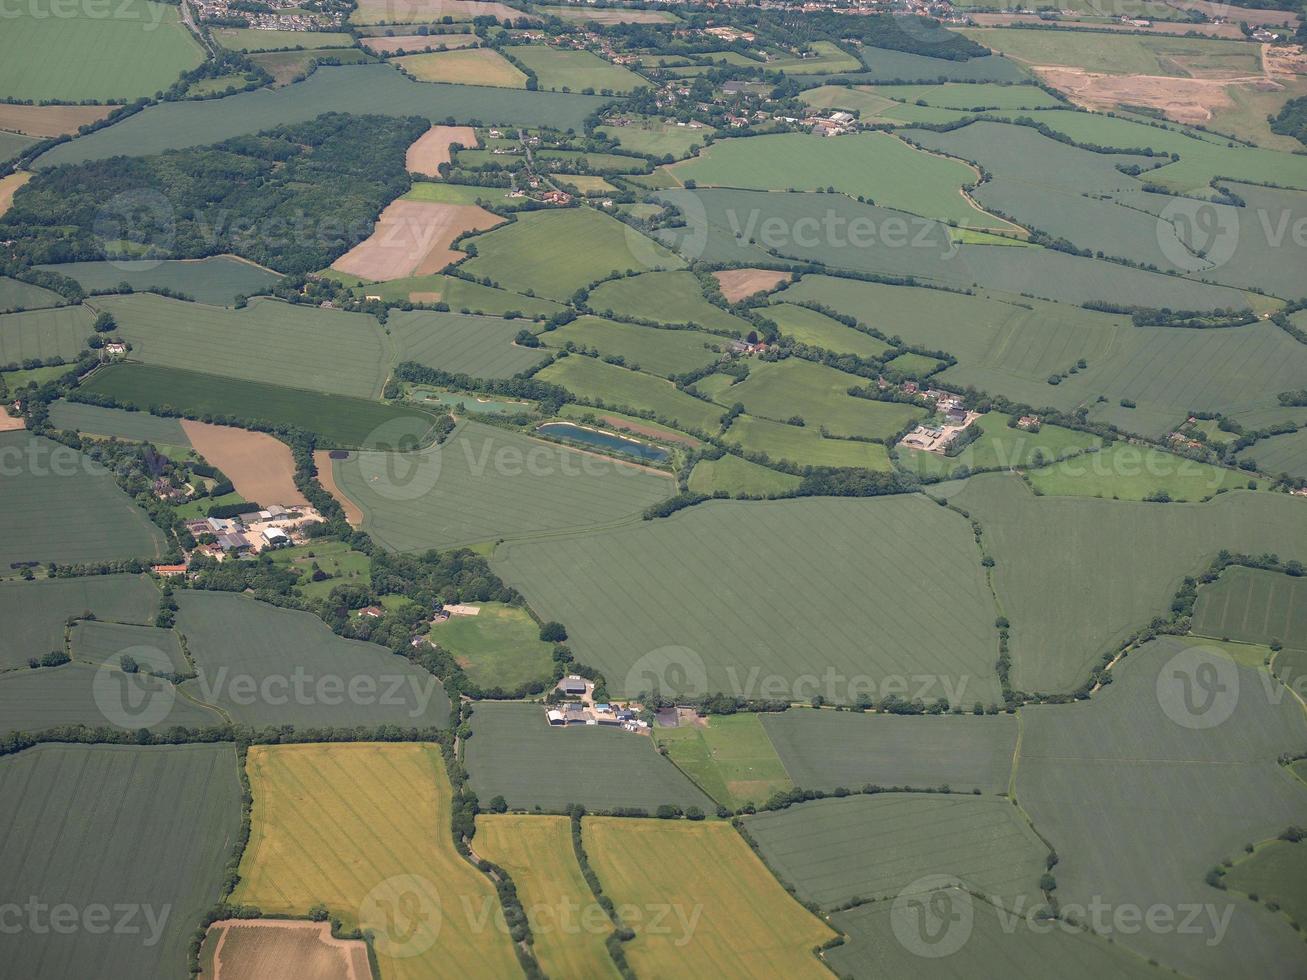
x: 414, y: 238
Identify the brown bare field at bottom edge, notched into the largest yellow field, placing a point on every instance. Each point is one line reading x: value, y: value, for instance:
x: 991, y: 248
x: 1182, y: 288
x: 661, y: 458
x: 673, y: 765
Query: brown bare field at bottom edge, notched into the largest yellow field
x: 250, y: 949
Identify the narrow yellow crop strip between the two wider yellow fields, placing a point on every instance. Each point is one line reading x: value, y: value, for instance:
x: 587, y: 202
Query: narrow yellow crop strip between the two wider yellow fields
x: 567, y: 923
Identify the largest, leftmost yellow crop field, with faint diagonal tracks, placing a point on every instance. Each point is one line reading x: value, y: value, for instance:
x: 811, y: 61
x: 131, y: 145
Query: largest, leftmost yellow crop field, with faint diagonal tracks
x: 364, y: 829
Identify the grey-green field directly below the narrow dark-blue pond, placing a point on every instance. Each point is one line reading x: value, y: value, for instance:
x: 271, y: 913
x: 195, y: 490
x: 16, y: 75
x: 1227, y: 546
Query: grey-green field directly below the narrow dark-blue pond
x: 484, y: 484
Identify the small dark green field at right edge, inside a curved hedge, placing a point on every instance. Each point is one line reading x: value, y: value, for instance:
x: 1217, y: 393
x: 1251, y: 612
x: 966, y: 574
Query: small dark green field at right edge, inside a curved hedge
x: 1254, y: 606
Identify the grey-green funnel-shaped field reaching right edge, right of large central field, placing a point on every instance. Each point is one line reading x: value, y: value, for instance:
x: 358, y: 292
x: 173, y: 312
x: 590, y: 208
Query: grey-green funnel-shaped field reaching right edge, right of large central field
x: 1068, y: 613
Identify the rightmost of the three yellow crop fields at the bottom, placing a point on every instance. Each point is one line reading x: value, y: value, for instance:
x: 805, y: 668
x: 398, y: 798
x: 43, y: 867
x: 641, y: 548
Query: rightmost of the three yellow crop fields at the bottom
x: 701, y: 902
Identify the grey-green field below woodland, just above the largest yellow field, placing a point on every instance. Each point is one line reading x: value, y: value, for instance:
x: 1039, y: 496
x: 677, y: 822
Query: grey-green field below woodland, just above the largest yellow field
x: 248, y: 655
